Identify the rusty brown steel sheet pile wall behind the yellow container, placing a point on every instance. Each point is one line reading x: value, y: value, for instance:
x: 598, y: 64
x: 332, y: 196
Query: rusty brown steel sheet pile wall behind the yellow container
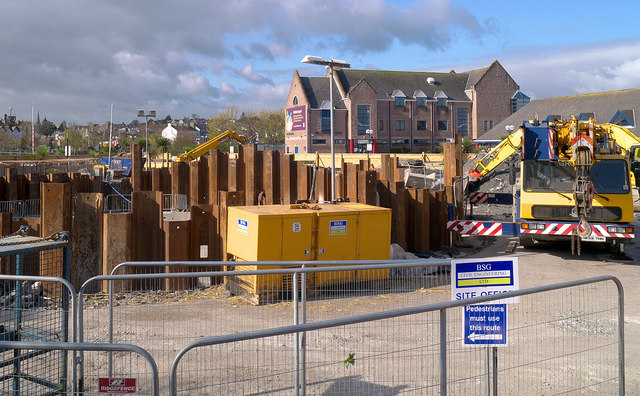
x: 211, y: 184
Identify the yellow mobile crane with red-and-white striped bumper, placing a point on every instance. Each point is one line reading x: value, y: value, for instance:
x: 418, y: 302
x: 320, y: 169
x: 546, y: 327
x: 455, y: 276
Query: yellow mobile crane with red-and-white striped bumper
x: 575, y: 183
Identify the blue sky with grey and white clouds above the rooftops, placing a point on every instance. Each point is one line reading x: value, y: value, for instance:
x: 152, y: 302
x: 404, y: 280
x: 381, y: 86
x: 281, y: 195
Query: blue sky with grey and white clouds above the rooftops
x: 71, y: 59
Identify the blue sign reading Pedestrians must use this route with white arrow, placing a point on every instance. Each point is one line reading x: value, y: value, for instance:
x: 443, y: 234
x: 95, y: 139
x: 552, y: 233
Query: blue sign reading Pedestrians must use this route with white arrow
x: 485, y: 325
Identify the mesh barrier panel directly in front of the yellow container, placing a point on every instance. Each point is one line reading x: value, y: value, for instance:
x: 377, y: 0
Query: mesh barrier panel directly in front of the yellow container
x: 163, y: 314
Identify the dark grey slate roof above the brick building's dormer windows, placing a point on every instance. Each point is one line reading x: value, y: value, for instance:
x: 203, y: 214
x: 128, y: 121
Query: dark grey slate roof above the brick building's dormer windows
x: 385, y: 82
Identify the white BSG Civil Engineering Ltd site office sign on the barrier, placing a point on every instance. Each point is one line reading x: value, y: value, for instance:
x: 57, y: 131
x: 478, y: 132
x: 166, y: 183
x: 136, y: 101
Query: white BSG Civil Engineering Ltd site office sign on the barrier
x: 482, y: 277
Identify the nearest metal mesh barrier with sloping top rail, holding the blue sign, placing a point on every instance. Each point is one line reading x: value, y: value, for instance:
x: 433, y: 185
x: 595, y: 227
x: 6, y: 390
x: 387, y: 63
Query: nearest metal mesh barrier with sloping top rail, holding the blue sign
x: 554, y: 348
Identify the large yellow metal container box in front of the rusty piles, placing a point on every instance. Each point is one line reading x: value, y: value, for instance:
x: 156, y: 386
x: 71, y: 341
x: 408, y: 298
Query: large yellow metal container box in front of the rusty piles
x: 345, y: 231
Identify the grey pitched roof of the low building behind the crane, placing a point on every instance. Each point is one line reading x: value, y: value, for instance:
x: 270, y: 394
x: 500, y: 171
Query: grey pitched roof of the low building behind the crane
x: 604, y: 105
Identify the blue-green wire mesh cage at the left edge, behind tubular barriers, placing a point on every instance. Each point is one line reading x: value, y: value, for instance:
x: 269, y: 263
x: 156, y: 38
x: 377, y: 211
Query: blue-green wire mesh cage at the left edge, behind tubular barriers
x: 34, y: 308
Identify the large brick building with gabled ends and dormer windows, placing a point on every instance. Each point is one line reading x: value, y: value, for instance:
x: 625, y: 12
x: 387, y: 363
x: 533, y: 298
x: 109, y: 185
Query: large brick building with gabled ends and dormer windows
x: 392, y: 111
